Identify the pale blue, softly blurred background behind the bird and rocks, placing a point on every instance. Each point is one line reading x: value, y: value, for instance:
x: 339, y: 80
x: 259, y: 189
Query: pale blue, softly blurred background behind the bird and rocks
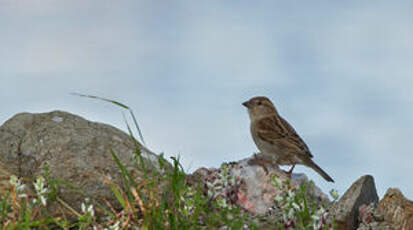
x: 339, y: 71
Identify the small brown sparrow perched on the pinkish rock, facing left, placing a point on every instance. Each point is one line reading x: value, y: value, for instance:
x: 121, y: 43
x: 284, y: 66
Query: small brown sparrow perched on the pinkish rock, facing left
x: 276, y: 138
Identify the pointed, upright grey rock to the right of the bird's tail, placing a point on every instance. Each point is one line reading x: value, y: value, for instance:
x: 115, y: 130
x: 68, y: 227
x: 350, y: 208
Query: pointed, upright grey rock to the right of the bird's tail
x: 346, y: 210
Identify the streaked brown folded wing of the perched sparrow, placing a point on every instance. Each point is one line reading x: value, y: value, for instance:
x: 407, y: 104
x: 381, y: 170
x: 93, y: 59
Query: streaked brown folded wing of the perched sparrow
x: 271, y: 129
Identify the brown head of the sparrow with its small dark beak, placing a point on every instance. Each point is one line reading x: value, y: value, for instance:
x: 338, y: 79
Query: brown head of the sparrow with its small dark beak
x: 259, y: 107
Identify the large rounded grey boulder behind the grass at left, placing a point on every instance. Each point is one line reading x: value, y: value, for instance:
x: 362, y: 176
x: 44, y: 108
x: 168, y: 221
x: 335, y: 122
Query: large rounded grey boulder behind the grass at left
x: 76, y: 150
